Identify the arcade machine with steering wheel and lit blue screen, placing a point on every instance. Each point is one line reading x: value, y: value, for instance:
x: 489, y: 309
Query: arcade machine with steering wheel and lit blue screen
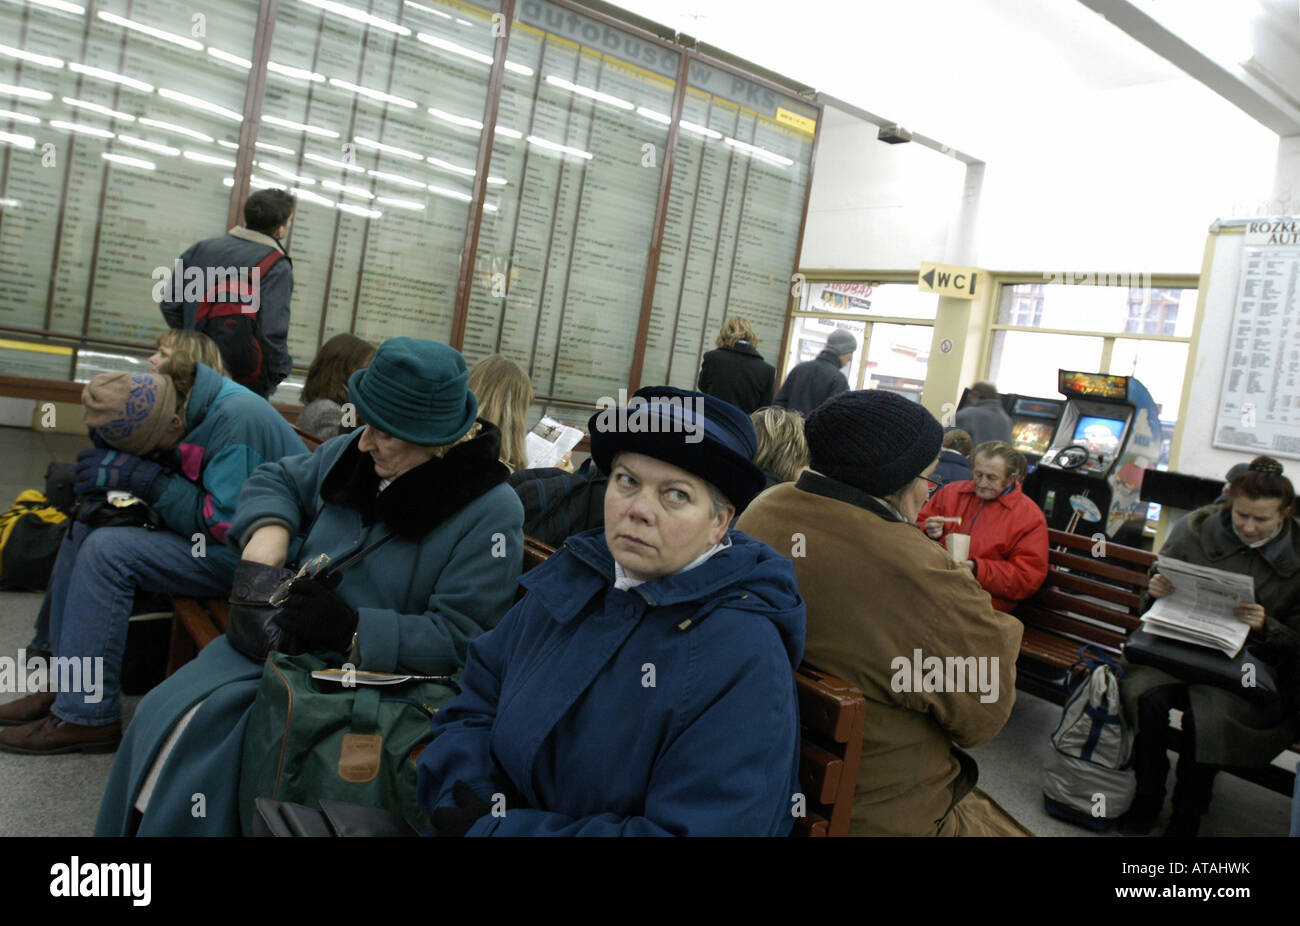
x: 1090, y: 478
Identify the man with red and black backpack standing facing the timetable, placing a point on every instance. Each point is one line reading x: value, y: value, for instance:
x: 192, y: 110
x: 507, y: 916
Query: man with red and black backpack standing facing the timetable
x: 228, y: 263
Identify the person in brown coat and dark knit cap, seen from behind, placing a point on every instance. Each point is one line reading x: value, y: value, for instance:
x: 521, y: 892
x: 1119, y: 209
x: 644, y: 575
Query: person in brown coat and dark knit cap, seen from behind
x: 890, y: 613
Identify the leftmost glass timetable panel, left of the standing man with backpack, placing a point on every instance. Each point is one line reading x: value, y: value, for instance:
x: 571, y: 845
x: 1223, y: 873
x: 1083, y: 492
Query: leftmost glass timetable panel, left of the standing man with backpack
x: 119, y: 126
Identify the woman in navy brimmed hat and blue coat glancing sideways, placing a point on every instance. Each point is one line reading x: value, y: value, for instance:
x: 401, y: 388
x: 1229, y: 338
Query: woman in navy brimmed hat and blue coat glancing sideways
x: 645, y: 686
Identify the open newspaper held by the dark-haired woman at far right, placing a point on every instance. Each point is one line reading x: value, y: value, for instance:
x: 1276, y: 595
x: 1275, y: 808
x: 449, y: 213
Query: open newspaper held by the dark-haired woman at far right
x: 1201, y: 609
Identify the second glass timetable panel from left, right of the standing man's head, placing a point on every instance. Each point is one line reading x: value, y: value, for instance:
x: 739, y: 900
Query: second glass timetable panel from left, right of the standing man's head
x: 372, y: 119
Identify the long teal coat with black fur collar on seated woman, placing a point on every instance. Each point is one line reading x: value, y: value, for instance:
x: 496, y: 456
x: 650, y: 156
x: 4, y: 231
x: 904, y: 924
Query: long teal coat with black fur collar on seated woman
x: 449, y: 575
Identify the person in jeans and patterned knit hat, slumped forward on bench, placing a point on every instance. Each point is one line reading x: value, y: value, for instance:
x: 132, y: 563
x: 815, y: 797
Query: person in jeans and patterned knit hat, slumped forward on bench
x: 207, y: 439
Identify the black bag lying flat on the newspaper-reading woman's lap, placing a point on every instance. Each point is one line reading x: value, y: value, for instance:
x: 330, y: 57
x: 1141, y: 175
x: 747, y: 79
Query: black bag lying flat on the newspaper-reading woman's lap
x: 1204, y: 667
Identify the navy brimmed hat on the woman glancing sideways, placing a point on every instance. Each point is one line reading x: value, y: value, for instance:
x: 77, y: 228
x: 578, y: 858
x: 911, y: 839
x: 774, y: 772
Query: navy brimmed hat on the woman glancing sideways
x: 699, y: 434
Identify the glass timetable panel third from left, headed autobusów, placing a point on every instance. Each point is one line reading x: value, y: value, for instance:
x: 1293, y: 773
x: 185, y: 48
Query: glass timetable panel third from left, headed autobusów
x: 578, y: 158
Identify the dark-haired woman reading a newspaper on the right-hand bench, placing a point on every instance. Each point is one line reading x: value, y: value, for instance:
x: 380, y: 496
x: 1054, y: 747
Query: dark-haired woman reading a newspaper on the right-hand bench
x: 1254, y: 535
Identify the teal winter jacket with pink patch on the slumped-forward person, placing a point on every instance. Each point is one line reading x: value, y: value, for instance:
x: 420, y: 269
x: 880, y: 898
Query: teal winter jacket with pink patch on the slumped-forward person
x: 229, y: 434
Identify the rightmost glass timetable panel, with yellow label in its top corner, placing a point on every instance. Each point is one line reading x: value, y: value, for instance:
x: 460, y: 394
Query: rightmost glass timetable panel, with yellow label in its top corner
x: 735, y: 207
